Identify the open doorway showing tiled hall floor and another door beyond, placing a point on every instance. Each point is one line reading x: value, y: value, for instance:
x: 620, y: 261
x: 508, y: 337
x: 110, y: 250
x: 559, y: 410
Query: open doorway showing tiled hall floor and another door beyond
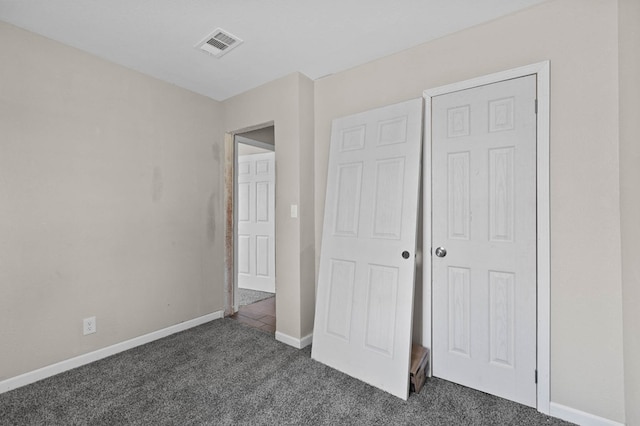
x: 251, y: 287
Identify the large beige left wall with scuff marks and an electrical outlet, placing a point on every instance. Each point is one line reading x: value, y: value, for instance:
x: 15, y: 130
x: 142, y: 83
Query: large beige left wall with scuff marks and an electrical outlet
x: 110, y: 203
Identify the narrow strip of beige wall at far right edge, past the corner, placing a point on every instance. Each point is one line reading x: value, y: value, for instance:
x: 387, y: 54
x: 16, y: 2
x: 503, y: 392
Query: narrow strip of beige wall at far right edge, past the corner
x: 629, y: 13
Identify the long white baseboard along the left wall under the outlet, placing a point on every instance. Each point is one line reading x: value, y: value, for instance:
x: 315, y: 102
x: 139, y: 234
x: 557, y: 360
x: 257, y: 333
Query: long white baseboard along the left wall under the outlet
x: 71, y: 363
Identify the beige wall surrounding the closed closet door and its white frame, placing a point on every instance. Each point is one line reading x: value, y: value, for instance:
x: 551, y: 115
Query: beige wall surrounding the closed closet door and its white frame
x: 579, y: 37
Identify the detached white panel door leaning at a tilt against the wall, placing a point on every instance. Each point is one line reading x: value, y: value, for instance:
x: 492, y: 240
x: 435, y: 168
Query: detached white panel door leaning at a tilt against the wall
x: 365, y: 287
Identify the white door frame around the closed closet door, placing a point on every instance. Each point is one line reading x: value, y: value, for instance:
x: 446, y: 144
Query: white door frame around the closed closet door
x: 542, y: 72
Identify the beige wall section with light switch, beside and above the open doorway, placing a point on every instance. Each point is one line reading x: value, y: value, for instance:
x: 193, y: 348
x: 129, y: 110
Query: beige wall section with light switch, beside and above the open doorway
x: 288, y: 104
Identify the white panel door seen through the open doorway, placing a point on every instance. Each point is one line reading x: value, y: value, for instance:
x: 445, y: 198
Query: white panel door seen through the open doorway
x: 256, y: 259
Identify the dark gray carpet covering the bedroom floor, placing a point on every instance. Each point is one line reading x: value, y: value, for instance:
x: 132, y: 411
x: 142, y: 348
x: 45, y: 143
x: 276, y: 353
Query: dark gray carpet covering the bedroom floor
x: 224, y: 373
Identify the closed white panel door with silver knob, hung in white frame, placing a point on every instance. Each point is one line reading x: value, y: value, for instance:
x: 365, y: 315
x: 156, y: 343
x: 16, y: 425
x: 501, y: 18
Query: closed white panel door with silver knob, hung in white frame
x: 484, y: 216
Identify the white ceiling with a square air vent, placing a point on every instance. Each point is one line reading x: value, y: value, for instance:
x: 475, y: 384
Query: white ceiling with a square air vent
x: 317, y: 38
